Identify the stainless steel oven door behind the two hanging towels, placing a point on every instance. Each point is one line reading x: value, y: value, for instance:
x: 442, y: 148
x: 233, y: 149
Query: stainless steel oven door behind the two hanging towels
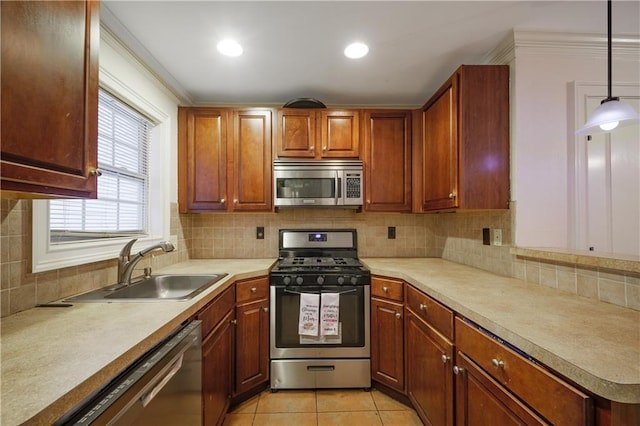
x: 354, y: 313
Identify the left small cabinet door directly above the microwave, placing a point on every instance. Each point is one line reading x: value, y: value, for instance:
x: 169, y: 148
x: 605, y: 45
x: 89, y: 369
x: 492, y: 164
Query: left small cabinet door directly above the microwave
x: 296, y: 133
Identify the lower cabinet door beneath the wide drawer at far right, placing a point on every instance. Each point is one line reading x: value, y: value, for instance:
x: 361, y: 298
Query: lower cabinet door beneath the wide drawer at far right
x: 480, y: 400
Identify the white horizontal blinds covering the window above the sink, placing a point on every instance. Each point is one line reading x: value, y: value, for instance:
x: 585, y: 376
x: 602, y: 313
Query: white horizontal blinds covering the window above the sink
x: 121, y: 206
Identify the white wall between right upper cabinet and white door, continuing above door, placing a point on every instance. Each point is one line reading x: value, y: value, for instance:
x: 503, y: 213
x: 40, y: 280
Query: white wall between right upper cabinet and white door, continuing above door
x: 542, y: 156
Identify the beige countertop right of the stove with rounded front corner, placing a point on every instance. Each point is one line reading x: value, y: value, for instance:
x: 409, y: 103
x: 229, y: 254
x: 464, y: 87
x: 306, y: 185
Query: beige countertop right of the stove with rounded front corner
x: 594, y: 344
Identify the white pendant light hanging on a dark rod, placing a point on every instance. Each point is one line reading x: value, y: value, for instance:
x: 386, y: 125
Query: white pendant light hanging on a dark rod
x: 612, y: 112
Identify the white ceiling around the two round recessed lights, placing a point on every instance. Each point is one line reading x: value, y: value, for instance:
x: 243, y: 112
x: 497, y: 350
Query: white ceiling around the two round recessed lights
x: 293, y: 49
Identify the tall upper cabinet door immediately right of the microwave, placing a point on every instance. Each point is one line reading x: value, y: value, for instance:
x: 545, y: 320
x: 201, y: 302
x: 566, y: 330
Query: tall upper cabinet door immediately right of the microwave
x: 387, y: 160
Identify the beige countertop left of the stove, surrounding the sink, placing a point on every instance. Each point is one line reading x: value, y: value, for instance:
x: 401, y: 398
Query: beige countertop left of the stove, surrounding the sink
x: 53, y: 358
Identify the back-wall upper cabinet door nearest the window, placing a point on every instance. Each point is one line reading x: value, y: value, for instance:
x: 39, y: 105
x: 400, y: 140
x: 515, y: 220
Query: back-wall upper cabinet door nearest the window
x: 202, y: 152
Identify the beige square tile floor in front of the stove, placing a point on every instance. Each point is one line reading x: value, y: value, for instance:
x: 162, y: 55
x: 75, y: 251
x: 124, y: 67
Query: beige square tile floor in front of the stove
x: 322, y: 408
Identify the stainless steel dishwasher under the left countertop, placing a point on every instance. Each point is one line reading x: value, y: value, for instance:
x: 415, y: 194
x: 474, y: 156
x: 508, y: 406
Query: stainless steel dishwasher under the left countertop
x: 163, y: 387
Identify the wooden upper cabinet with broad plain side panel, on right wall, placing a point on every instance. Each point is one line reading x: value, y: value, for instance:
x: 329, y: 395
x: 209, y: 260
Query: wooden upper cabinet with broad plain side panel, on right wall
x: 465, y: 146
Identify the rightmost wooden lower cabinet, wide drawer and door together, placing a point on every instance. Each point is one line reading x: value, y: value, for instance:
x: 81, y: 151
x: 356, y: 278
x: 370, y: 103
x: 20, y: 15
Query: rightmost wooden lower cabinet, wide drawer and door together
x: 494, y: 382
